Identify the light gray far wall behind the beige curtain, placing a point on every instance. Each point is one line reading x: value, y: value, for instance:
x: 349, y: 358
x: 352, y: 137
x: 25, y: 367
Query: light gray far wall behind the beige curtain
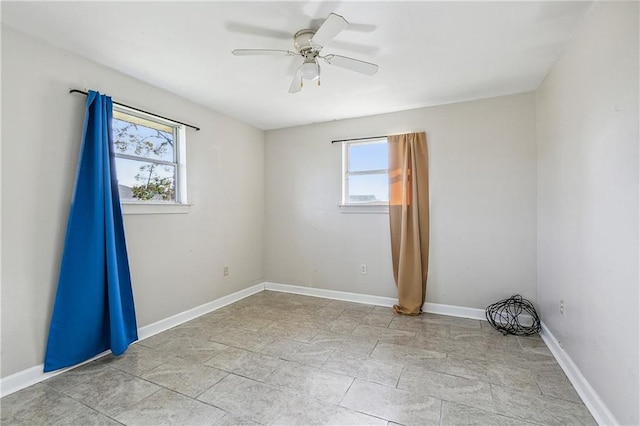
x: 483, y: 204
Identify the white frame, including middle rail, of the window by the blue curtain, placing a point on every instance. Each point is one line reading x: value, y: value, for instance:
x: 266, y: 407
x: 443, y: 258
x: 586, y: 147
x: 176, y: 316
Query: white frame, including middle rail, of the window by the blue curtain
x: 180, y: 205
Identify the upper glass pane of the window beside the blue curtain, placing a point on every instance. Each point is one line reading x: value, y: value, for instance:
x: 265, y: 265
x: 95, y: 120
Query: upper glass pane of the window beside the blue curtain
x: 133, y: 138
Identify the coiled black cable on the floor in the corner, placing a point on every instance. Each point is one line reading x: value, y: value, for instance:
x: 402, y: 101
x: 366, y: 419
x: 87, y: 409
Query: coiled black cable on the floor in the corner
x: 504, y: 316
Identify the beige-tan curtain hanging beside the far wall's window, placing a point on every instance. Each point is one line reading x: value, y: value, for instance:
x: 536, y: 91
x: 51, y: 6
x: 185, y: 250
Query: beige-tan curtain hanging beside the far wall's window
x: 409, y: 219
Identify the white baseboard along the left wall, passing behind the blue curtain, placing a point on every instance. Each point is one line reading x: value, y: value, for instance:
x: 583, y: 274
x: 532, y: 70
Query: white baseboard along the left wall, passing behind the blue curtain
x: 35, y: 374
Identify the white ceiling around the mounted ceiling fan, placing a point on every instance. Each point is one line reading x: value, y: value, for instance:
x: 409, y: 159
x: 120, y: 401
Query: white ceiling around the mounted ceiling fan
x: 429, y: 53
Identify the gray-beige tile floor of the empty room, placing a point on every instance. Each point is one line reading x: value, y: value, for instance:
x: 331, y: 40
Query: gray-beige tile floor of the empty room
x: 278, y: 358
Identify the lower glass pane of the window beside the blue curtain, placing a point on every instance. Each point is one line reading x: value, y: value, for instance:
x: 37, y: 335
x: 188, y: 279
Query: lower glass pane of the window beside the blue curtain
x: 145, y: 181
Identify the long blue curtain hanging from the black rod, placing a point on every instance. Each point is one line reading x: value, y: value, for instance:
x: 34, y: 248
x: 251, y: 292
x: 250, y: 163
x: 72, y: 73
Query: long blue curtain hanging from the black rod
x: 94, y: 309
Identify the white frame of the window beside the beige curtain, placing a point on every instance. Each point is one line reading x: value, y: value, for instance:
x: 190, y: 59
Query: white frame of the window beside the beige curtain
x: 350, y: 207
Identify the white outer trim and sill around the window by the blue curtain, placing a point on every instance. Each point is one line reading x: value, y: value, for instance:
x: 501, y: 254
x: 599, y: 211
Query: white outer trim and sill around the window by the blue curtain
x: 181, y: 206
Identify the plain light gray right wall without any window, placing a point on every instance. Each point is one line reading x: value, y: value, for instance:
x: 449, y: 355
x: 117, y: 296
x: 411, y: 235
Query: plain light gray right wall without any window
x: 587, y: 110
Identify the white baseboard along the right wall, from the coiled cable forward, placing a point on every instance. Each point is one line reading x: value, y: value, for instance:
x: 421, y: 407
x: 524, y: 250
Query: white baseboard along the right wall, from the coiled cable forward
x: 591, y: 399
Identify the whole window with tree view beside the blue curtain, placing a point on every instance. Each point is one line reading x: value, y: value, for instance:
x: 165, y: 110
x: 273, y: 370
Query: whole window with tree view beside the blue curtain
x: 150, y: 158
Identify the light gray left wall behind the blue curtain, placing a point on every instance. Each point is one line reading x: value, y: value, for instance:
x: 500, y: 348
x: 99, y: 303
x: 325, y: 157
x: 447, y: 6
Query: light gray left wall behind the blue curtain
x: 177, y: 259
